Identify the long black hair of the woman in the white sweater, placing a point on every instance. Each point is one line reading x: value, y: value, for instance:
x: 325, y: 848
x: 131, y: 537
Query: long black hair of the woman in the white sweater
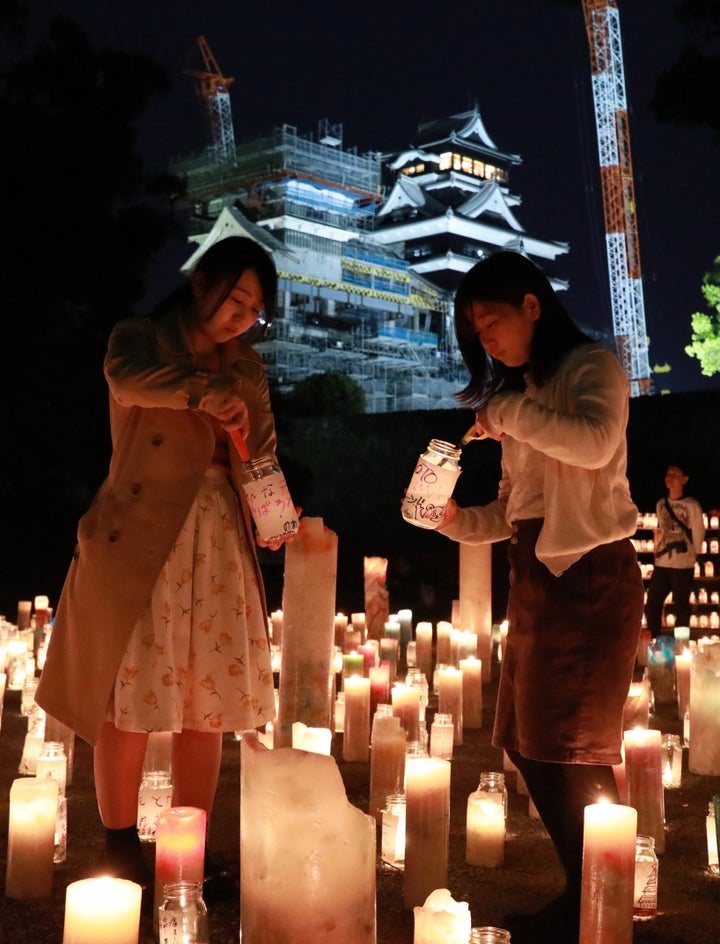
x: 508, y: 277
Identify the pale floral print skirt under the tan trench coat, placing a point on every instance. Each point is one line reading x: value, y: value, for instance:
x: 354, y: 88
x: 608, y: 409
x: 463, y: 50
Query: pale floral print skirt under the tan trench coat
x: 198, y: 658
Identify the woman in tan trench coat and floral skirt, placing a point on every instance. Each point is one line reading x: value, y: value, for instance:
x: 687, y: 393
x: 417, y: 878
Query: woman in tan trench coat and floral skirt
x: 162, y: 622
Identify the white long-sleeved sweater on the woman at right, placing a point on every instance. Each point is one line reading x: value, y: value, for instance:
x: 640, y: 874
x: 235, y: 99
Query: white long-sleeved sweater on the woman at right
x: 564, y: 459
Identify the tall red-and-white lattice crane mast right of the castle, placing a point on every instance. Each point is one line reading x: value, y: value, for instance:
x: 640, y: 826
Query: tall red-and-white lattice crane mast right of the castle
x: 602, y: 22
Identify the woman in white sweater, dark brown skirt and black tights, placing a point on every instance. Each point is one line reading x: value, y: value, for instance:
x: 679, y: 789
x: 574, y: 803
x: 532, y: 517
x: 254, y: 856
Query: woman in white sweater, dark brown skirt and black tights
x: 559, y: 403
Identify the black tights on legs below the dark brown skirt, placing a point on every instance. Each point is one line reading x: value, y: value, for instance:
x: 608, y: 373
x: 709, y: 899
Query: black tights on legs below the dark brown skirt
x: 560, y: 793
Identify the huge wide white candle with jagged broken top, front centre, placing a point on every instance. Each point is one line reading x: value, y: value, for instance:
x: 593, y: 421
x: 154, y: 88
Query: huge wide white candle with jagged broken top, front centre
x: 307, y: 856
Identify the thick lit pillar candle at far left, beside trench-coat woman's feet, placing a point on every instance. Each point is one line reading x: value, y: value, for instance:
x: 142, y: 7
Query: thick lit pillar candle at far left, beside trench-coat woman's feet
x: 31, y: 838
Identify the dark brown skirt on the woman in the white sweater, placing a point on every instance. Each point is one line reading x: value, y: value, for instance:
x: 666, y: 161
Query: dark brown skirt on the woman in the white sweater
x: 570, y: 652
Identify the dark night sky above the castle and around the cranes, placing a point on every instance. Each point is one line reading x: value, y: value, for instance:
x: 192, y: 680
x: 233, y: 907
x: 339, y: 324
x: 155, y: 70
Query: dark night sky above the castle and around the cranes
x: 381, y: 68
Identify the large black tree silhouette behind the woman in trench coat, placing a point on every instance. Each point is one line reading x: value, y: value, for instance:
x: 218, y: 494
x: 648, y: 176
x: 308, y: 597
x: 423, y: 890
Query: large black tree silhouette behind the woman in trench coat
x: 83, y: 222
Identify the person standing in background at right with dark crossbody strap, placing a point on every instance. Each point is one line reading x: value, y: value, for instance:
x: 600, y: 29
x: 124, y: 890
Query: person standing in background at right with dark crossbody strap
x: 678, y: 541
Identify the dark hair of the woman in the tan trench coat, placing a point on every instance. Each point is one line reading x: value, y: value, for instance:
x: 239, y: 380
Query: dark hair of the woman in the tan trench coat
x: 222, y: 265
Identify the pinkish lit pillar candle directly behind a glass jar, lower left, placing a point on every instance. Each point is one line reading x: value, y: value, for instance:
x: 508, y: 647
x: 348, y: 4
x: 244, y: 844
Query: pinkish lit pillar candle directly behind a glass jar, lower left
x: 179, y: 847
